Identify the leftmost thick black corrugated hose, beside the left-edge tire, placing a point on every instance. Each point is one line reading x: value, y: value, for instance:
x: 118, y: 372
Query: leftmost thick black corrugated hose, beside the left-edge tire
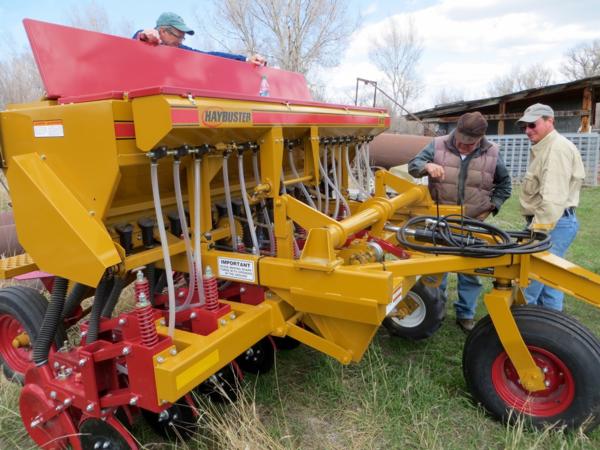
x: 52, y: 317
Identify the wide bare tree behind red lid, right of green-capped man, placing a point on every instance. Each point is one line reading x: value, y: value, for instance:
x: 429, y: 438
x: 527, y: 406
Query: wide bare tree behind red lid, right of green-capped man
x: 294, y: 34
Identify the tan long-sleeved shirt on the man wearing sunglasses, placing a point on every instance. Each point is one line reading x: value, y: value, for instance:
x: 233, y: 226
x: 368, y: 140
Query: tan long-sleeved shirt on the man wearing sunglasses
x: 553, y: 180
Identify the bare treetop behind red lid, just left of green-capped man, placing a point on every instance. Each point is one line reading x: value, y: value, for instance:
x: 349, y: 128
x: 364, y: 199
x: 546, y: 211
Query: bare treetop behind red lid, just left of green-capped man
x: 92, y: 16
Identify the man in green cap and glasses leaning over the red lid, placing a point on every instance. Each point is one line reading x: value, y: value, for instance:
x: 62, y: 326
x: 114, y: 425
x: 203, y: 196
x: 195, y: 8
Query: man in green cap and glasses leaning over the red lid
x: 171, y: 30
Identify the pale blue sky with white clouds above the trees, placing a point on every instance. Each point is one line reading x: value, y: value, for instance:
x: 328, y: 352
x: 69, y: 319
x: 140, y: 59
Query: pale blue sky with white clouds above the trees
x: 466, y: 43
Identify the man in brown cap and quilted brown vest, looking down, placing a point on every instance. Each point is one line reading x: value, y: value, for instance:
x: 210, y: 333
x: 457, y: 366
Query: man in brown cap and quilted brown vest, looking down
x: 464, y: 168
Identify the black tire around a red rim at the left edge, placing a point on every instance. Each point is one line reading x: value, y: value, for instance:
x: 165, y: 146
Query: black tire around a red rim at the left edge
x: 27, y: 306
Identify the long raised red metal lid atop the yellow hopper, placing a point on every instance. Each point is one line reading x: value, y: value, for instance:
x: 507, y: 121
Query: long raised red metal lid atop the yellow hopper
x: 81, y: 65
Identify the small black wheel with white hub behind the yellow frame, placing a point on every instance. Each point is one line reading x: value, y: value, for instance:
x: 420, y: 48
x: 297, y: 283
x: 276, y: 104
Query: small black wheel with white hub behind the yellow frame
x: 424, y: 321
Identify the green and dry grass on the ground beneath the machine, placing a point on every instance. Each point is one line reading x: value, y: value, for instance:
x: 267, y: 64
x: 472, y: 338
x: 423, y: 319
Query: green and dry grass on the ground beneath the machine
x: 403, y: 395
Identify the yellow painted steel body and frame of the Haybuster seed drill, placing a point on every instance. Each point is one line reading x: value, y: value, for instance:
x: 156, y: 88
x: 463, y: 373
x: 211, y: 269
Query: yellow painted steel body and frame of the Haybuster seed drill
x: 81, y: 184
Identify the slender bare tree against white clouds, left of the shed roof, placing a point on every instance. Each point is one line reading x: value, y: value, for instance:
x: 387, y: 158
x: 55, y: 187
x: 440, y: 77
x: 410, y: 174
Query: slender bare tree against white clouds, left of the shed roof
x: 396, y: 52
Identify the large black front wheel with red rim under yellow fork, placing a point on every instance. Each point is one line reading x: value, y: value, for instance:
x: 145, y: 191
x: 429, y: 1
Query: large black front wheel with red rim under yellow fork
x: 566, y: 340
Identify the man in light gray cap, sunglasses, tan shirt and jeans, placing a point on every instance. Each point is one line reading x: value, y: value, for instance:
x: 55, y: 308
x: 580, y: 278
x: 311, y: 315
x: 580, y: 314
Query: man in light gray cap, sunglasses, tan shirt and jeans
x: 550, y: 191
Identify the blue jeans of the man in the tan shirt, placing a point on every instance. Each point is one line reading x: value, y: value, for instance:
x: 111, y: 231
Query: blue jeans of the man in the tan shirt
x: 561, y: 236
